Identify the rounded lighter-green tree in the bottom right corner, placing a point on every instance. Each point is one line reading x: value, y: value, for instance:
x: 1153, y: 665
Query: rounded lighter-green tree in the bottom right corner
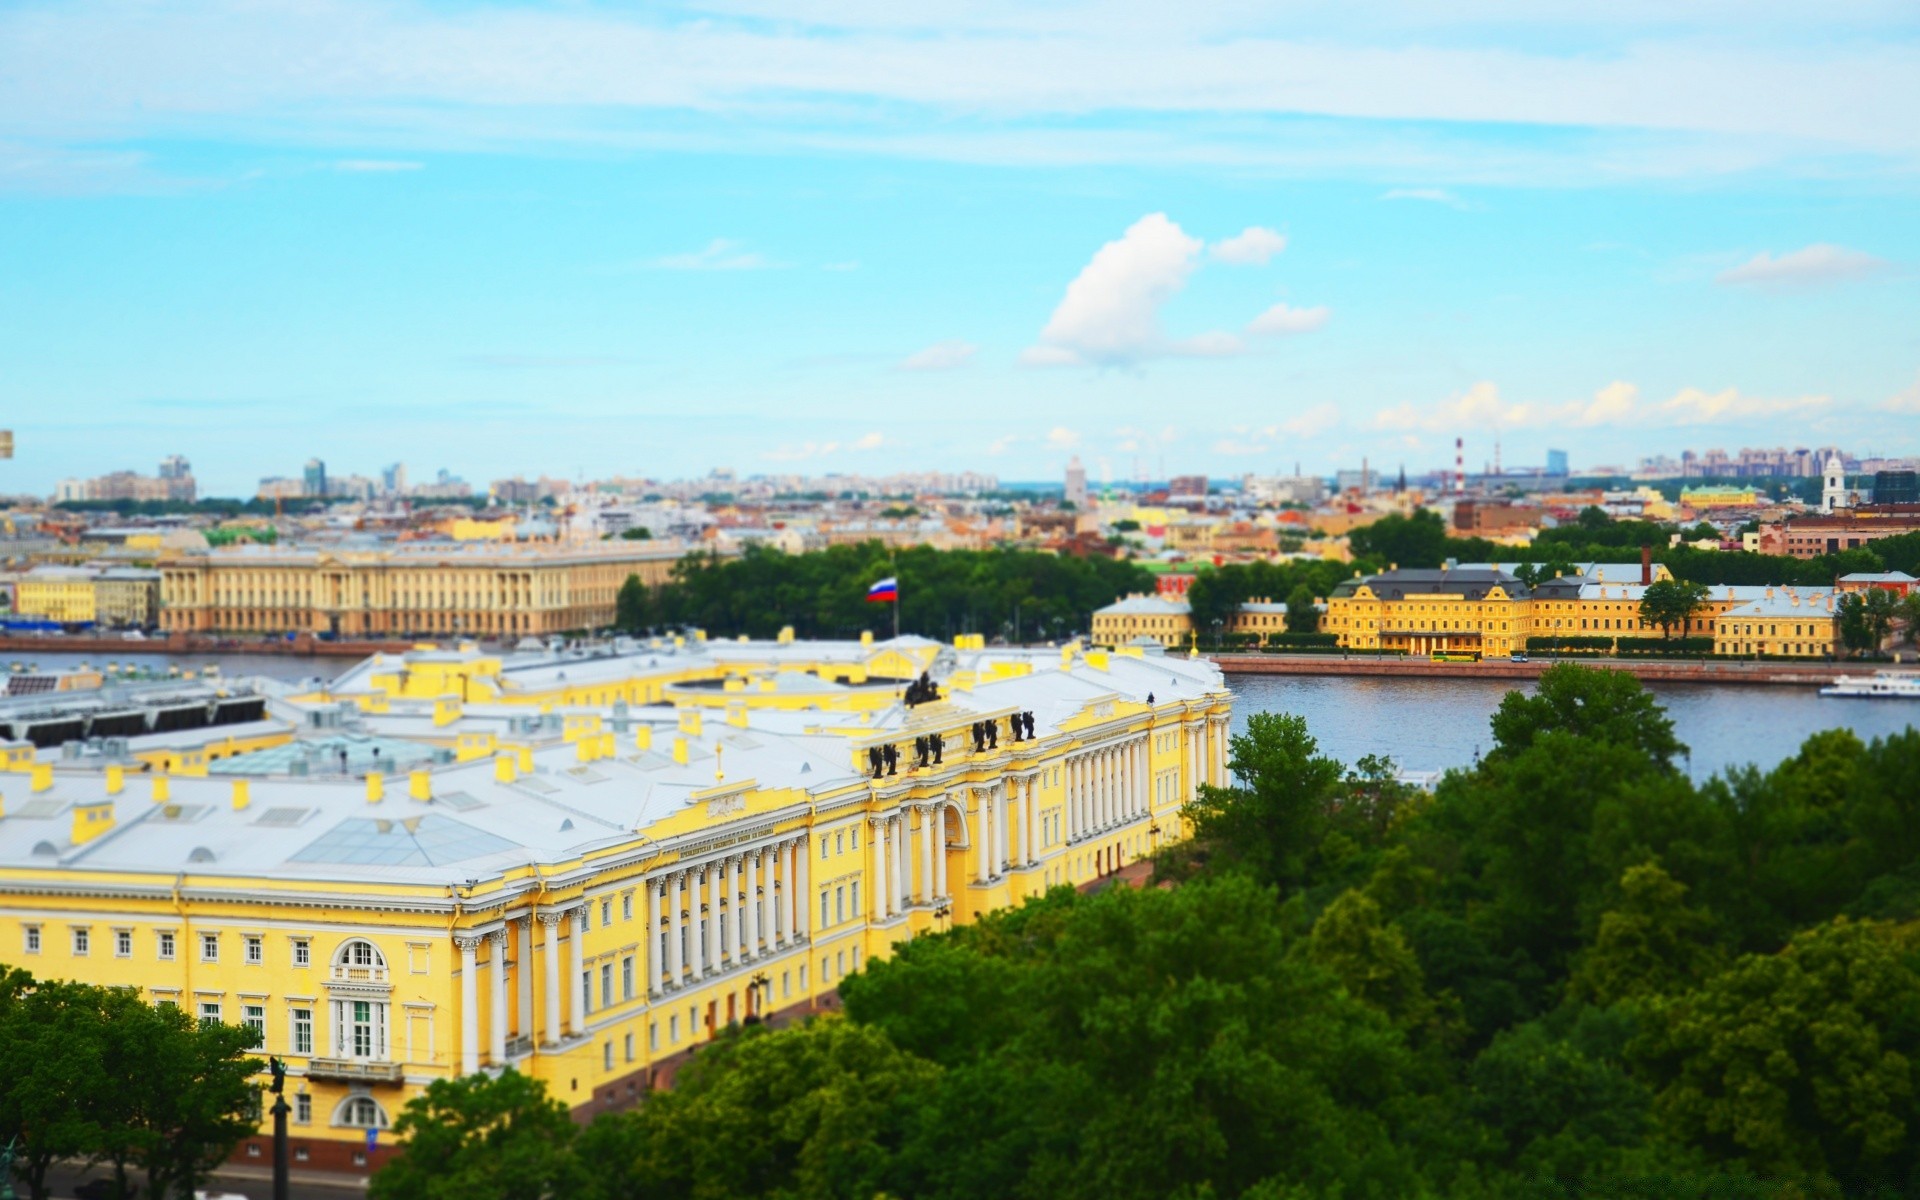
x: 1798, y: 1063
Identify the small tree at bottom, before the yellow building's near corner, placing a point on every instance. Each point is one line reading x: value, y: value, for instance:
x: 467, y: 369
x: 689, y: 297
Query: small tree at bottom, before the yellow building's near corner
x: 477, y: 1136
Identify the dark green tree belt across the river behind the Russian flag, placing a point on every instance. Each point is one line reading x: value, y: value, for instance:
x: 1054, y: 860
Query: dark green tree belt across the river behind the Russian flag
x: 1011, y: 594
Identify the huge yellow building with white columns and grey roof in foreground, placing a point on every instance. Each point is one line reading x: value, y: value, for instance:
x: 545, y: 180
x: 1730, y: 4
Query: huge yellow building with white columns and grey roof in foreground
x: 587, y: 892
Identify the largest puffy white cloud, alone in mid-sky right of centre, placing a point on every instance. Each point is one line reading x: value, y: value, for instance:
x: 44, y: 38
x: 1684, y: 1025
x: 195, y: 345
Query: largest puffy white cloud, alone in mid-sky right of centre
x: 1111, y: 314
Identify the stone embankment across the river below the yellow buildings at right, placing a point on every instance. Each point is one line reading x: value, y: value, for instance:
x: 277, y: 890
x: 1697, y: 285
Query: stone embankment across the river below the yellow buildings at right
x: 1668, y: 671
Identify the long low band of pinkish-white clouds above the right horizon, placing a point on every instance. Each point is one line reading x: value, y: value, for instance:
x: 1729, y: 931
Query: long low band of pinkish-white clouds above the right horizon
x: 1614, y: 406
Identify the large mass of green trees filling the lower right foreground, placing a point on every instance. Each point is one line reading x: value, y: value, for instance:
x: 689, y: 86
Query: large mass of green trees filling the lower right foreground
x: 1566, y: 972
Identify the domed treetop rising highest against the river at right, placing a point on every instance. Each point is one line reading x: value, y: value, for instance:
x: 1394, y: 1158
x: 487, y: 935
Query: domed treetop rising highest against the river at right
x: 1604, y: 706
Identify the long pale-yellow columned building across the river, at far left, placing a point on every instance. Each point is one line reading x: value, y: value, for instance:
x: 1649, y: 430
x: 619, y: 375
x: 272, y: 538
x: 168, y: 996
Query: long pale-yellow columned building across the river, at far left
x: 502, y: 590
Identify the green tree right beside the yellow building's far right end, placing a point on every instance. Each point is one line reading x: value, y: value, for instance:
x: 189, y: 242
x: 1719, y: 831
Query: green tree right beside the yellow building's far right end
x: 1278, y: 817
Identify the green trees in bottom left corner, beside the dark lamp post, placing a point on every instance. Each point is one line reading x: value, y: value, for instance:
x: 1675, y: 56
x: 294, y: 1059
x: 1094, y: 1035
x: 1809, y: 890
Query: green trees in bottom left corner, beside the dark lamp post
x: 101, y: 1076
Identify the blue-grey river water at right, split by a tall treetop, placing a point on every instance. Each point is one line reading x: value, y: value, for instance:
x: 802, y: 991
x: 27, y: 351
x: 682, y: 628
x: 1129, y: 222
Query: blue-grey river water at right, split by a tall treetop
x: 1433, y: 725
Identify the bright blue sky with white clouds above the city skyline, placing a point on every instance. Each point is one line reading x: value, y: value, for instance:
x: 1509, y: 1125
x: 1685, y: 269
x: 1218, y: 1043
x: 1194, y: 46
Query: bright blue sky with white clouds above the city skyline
x: 853, y: 235
